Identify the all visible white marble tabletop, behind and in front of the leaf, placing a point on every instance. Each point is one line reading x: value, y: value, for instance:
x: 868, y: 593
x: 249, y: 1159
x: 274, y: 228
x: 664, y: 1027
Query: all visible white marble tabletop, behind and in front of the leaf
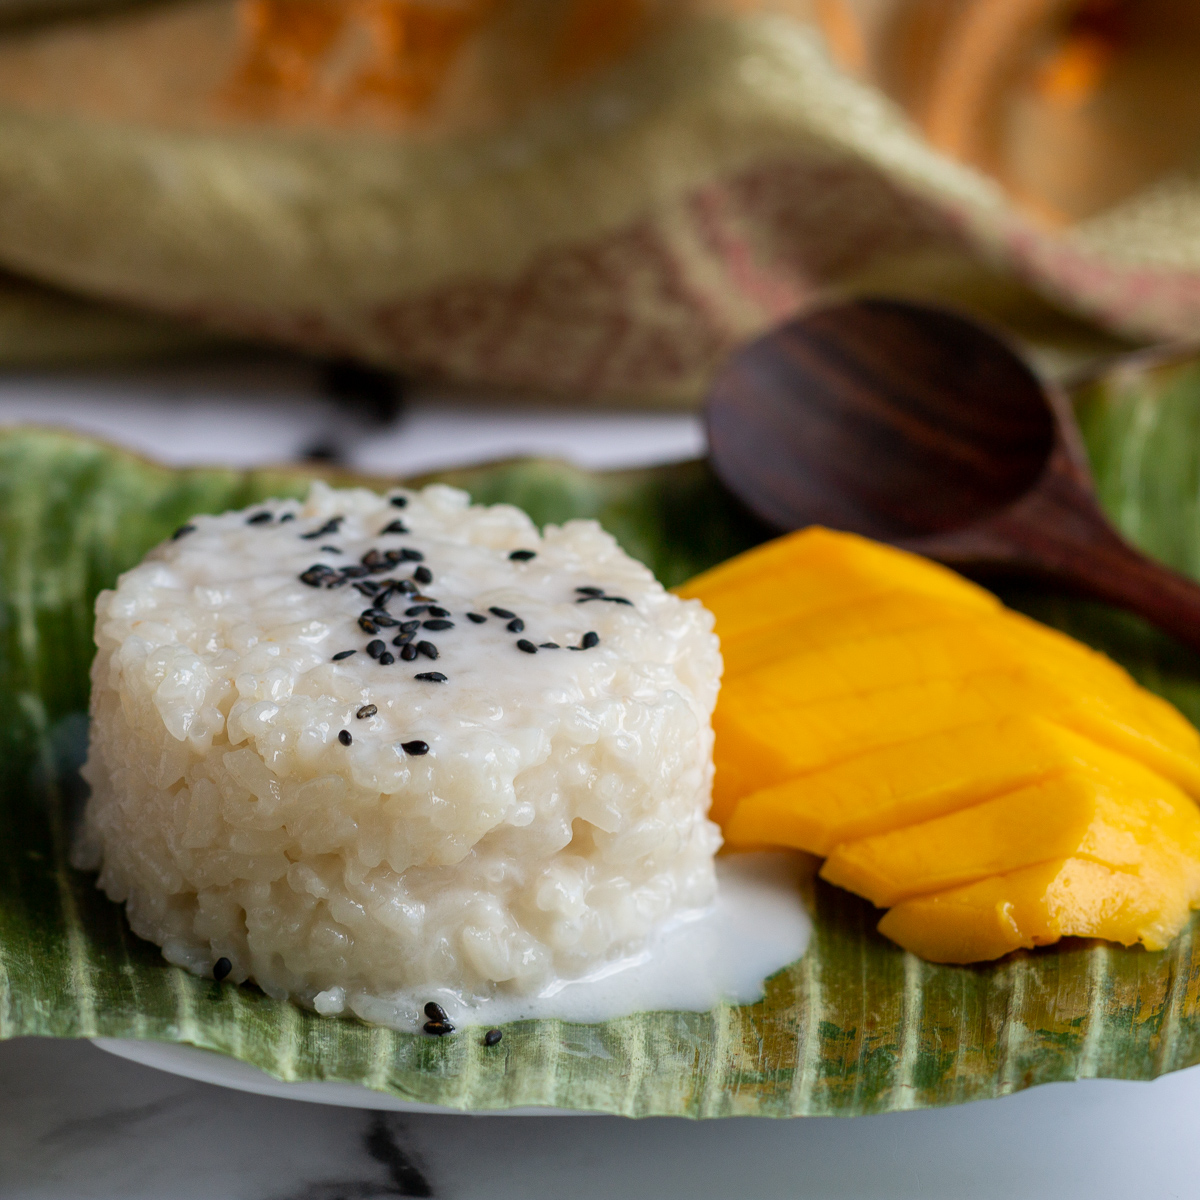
x: 77, y: 1124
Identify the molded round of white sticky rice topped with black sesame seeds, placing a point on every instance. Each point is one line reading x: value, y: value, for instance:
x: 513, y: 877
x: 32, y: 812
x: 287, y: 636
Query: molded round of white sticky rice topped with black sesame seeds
x: 556, y: 821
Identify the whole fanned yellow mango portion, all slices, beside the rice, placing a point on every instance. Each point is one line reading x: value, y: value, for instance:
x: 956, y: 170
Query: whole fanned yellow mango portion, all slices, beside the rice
x: 992, y: 782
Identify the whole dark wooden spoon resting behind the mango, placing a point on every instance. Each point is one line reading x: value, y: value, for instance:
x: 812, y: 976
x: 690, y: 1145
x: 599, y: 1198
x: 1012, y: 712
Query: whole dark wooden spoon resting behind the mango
x: 921, y: 429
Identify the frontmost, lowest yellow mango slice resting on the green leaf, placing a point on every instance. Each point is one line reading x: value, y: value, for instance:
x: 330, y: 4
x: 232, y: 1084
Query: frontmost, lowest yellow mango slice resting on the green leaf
x: 1039, y: 905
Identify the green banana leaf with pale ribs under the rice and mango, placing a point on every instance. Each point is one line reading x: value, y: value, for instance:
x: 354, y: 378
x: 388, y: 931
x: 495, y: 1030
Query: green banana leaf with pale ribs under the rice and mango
x: 856, y: 1027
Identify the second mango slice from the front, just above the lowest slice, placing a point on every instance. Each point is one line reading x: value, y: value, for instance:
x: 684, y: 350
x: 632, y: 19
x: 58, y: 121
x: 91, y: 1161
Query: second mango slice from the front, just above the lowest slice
x: 1075, y: 813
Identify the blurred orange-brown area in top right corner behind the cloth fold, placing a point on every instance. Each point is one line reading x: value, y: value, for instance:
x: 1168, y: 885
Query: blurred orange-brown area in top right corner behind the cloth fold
x: 1072, y: 105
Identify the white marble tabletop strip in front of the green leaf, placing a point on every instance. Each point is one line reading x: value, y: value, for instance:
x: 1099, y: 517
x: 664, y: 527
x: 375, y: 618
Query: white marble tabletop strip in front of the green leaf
x: 77, y: 1124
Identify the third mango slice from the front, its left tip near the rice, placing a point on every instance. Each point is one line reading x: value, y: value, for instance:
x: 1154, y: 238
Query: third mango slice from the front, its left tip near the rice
x: 899, y: 785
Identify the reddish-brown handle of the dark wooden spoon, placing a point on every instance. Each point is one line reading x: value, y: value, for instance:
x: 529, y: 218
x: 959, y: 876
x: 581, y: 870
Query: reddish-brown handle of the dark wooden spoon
x: 1059, y: 533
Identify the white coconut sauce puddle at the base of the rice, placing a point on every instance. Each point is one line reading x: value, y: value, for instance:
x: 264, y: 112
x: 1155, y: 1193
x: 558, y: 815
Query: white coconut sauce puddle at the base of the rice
x: 758, y: 926
